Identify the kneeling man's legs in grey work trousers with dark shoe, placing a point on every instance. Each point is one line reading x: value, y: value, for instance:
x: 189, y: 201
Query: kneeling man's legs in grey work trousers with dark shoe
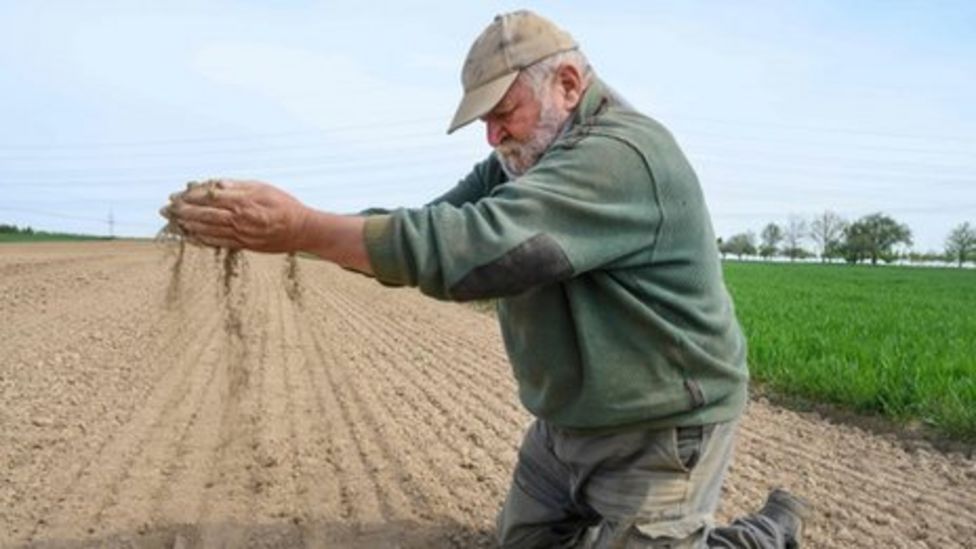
x: 649, y: 488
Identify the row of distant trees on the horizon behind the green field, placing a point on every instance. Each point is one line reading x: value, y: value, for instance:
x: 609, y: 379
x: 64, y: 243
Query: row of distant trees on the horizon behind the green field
x: 871, y: 238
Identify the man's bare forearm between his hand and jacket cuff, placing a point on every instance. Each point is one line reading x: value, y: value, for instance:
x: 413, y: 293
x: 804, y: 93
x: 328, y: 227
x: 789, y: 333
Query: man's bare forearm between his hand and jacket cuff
x: 336, y: 238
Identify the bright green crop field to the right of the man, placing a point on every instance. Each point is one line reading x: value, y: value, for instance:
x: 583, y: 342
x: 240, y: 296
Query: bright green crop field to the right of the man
x: 893, y: 340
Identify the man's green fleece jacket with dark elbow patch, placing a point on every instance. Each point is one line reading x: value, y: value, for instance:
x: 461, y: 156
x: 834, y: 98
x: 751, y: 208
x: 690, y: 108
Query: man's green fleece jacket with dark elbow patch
x: 612, y: 304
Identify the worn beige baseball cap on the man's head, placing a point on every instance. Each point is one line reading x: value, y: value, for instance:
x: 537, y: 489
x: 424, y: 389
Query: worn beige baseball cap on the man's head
x: 512, y: 42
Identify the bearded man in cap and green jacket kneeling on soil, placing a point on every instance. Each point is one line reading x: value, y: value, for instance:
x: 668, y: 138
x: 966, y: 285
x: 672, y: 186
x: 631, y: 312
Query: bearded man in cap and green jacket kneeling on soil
x: 589, y: 225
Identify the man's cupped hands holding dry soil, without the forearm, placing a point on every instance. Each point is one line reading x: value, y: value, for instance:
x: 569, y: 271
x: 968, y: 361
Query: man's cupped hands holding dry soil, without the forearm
x: 240, y: 214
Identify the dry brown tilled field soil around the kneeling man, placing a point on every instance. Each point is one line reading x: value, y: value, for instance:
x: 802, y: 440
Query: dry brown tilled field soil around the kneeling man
x: 359, y: 416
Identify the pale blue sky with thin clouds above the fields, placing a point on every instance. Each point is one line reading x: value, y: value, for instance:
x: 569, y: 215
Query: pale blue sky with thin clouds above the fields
x: 783, y: 107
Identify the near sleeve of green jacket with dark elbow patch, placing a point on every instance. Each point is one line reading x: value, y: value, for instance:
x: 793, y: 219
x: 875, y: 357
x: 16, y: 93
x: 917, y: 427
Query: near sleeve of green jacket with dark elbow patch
x: 578, y: 209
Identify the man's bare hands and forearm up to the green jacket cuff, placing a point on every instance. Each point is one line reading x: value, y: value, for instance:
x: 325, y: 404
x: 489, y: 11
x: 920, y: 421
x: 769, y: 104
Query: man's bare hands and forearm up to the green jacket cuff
x: 256, y: 216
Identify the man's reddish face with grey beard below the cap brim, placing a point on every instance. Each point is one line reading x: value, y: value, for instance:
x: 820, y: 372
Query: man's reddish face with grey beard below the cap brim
x: 522, y: 126
